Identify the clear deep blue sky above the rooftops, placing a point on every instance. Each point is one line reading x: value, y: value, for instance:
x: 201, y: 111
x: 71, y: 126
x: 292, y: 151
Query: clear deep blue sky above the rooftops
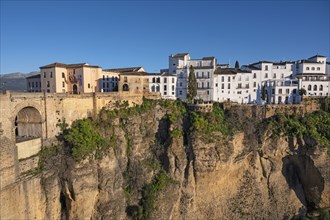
x: 144, y: 33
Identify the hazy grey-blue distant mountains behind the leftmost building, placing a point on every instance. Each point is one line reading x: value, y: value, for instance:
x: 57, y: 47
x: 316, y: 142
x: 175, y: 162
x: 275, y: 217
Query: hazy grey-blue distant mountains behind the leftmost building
x: 15, y: 81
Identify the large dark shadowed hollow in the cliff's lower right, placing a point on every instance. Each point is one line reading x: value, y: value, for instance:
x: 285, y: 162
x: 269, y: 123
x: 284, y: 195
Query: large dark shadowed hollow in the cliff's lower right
x: 304, y: 178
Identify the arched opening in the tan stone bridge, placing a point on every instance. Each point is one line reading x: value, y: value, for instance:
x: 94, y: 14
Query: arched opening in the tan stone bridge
x: 28, y: 123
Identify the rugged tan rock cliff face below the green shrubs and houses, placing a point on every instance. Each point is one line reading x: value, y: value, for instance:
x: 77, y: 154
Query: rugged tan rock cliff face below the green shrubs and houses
x: 161, y: 168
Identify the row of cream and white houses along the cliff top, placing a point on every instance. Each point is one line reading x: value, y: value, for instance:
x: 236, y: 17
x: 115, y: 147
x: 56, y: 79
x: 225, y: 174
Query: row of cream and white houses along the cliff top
x: 264, y: 81
